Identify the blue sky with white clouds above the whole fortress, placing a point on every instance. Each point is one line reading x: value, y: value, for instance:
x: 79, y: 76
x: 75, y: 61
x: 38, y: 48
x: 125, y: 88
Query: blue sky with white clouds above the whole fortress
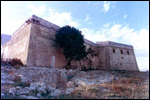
x: 124, y: 22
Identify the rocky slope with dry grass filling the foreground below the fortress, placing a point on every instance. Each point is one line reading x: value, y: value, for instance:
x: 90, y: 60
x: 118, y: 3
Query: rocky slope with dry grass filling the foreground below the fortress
x: 39, y: 83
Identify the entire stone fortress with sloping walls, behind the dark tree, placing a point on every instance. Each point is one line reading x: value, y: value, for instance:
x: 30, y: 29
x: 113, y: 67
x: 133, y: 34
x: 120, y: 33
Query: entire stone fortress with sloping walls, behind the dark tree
x: 34, y: 44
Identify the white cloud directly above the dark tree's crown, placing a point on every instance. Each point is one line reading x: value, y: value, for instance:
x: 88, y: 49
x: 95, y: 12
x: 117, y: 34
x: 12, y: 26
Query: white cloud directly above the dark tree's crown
x: 61, y: 19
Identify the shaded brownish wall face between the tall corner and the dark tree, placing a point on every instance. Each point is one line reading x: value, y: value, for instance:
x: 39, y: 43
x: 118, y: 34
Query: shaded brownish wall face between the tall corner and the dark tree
x: 42, y: 48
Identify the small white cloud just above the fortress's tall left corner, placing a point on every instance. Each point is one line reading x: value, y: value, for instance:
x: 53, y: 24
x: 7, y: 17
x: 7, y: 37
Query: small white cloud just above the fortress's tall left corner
x: 37, y: 10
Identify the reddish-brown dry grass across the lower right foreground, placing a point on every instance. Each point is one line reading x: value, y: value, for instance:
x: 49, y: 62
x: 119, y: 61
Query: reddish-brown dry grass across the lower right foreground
x: 130, y: 88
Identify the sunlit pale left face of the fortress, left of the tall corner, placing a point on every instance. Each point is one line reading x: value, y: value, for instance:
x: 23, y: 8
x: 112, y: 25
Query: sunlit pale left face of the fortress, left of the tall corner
x: 17, y: 47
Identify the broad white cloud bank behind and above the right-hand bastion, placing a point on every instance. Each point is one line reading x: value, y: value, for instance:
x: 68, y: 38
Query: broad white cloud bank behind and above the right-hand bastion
x: 126, y: 35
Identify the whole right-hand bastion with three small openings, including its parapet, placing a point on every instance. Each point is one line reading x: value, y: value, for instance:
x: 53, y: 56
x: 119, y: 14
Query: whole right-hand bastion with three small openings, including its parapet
x: 116, y: 56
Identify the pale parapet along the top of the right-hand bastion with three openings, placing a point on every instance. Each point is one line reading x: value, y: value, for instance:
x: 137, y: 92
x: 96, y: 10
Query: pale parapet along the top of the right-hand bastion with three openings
x: 113, y: 44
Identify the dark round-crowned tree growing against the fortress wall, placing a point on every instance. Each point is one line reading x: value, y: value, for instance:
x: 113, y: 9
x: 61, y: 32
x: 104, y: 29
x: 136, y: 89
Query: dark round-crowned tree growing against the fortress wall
x: 71, y: 41
